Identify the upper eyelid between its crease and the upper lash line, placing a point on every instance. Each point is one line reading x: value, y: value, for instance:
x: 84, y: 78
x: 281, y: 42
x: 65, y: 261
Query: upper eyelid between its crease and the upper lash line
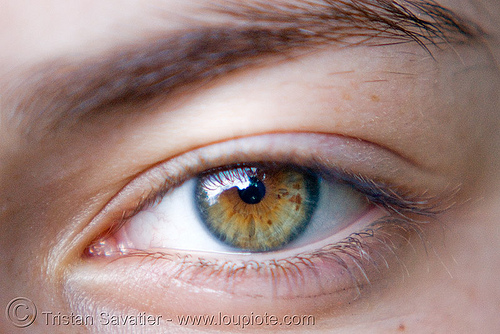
x: 193, y: 164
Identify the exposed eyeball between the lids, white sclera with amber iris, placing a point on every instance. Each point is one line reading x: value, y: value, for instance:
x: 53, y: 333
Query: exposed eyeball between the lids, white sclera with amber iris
x: 238, y: 209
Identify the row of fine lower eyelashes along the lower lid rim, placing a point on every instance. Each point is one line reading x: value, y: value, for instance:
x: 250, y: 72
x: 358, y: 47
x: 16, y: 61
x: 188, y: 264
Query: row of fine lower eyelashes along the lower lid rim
x: 360, y: 257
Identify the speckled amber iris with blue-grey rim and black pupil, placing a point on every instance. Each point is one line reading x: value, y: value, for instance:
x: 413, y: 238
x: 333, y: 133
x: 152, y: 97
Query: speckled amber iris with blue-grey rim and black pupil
x: 257, y: 208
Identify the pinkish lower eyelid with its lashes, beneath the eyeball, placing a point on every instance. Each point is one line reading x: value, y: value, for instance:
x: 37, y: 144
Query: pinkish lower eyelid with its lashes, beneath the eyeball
x: 327, y: 278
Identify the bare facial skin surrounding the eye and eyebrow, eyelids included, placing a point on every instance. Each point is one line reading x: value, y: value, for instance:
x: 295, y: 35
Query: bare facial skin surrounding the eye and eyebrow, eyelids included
x: 421, y: 120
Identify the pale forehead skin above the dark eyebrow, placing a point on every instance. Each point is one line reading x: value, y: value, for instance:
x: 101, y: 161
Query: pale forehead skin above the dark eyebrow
x: 67, y: 28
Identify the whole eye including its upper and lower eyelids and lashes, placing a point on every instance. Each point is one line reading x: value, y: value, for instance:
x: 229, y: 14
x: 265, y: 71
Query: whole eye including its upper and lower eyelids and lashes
x: 273, y: 218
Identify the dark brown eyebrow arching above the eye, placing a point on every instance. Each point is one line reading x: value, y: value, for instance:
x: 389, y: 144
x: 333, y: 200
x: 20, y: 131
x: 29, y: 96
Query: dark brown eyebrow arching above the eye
x: 151, y: 70
